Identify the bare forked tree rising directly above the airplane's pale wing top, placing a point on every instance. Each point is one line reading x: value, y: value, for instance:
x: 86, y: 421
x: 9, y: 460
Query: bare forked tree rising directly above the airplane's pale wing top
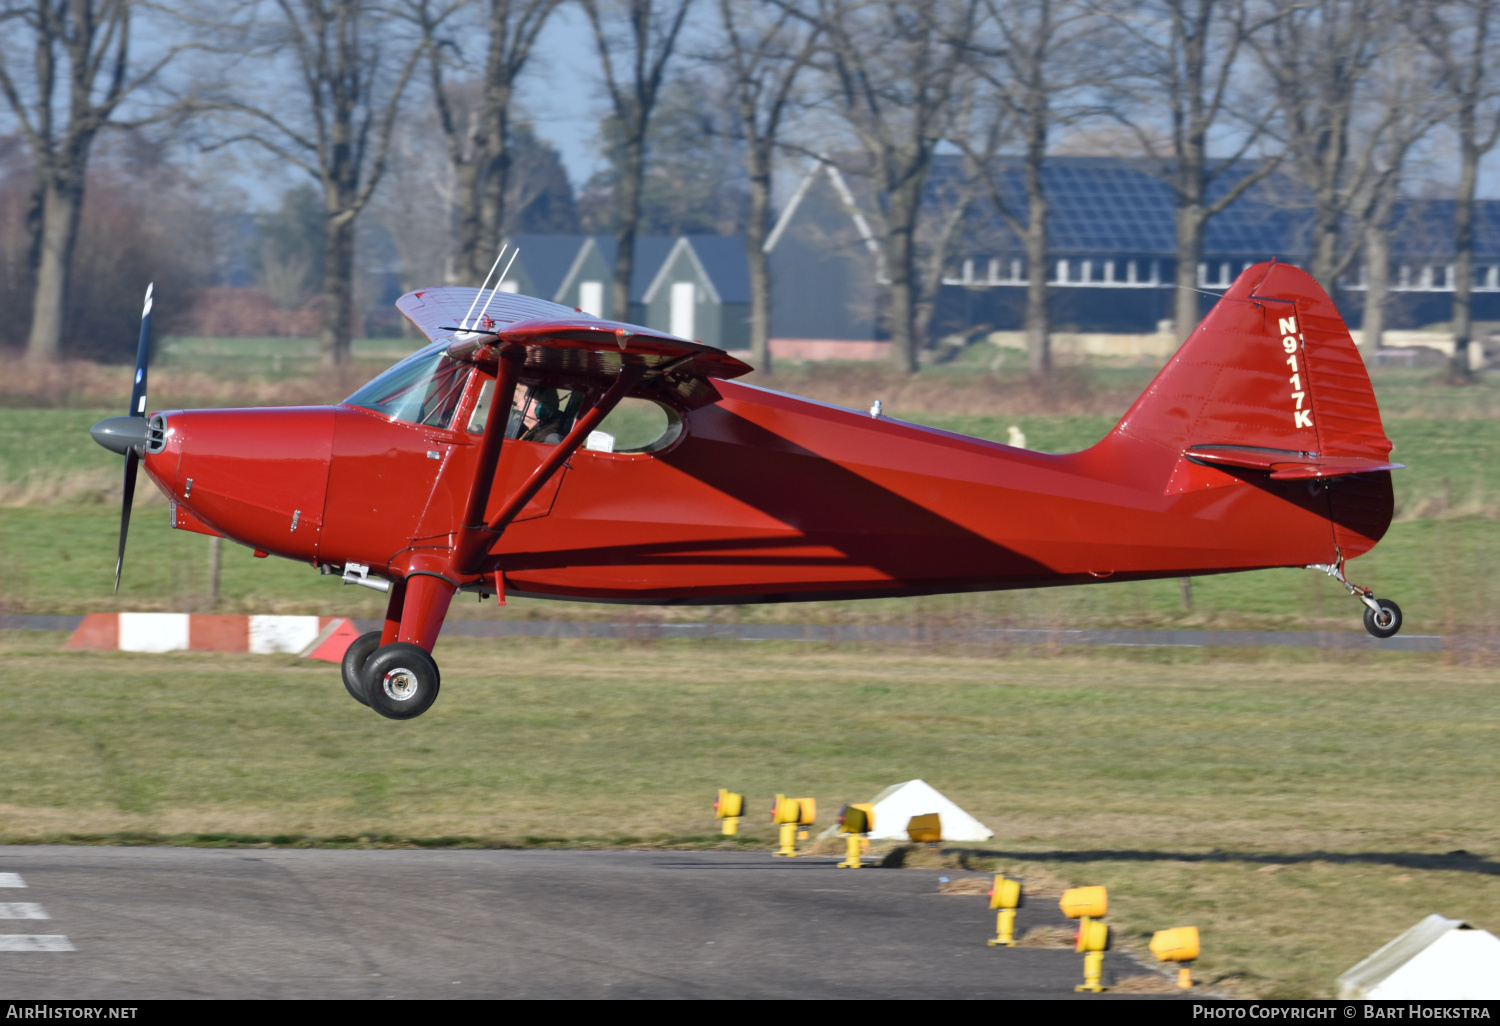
x: 479, y: 137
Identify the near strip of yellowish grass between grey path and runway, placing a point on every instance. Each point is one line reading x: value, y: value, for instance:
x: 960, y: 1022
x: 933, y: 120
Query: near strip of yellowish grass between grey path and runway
x: 1300, y: 811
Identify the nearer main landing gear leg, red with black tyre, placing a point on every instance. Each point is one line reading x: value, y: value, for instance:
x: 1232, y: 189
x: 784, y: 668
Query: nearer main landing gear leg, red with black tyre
x: 400, y: 679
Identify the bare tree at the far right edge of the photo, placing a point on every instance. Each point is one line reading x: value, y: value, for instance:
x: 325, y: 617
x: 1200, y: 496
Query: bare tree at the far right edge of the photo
x: 1457, y: 34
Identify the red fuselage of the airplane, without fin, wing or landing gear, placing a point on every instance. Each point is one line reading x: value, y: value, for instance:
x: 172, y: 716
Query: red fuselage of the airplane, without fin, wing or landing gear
x: 763, y: 497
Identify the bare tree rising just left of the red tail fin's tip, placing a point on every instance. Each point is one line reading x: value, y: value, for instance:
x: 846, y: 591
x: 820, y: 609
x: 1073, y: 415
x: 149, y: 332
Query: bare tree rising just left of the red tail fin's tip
x: 1174, y: 89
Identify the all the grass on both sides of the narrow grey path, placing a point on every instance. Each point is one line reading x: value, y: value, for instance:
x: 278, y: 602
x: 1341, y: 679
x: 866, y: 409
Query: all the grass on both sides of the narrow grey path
x: 1301, y: 808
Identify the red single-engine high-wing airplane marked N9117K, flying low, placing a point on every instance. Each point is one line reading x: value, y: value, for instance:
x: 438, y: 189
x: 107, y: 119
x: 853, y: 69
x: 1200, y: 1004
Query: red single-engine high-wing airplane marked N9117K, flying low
x: 478, y: 464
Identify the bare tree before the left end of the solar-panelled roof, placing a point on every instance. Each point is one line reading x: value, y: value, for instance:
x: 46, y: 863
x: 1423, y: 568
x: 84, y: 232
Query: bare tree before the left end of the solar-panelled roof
x: 1033, y: 58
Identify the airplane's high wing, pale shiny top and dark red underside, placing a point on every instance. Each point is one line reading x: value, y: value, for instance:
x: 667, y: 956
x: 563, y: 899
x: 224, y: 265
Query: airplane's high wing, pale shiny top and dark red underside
x: 568, y: 344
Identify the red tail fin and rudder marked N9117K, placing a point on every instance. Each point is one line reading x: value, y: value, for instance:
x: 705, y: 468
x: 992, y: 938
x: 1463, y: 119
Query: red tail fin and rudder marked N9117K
x: 1271, y: 385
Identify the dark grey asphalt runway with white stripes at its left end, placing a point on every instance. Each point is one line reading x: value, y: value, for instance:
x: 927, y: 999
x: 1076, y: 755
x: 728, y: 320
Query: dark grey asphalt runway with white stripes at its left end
x: 140, y: 923
